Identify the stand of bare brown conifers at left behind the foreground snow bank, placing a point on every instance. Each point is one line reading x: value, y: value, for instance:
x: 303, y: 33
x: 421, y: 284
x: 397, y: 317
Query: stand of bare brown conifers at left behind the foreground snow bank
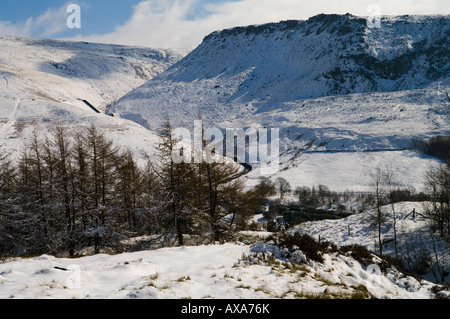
x: 67, y: 192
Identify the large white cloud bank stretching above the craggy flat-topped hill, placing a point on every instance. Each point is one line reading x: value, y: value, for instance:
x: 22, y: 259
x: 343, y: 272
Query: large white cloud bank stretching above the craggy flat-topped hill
x: 165, y: 24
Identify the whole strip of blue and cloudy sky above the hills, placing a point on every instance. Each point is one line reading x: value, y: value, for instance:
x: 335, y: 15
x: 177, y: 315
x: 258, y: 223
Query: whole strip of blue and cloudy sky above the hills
x: 178, y: 23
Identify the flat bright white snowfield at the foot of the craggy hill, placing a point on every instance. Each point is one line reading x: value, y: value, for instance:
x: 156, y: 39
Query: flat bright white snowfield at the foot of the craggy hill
x: 343, y: 171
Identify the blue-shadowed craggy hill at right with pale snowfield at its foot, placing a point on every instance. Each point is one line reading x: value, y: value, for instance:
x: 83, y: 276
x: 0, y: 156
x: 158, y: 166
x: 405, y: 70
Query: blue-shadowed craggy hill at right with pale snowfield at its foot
x: 339, y: 91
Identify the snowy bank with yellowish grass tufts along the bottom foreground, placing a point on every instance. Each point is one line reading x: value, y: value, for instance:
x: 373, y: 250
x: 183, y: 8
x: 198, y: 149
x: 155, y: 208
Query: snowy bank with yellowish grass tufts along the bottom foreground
x: 211, y: 272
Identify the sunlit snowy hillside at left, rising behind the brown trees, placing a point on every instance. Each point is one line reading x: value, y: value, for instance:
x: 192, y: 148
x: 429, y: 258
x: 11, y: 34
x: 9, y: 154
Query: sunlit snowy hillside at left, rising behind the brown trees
x: 43, y: 83
